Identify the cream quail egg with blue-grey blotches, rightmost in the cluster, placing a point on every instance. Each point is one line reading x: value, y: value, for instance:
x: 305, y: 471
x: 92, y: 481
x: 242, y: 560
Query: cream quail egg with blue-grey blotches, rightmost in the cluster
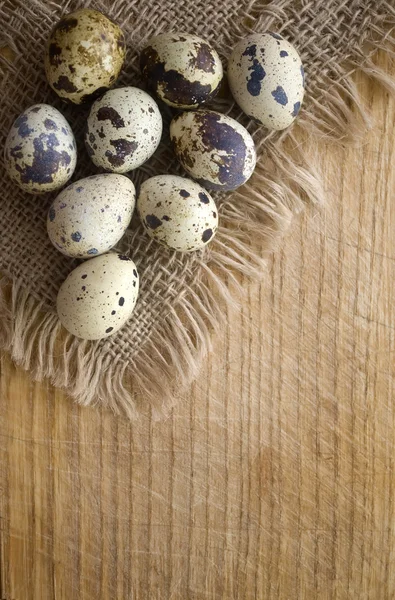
x: 266, y: 78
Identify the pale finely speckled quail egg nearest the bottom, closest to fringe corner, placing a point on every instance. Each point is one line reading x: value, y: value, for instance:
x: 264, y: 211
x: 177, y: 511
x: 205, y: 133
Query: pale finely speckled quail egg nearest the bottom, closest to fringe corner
x: 98, y: 297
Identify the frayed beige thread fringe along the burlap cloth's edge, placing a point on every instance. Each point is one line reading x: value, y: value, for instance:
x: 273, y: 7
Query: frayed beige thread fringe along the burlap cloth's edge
x: 171, y: 358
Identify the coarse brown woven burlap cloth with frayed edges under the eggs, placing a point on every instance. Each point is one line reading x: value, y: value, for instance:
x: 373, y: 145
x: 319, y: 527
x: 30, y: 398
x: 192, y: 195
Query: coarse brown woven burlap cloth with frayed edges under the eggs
x: 182, y: 298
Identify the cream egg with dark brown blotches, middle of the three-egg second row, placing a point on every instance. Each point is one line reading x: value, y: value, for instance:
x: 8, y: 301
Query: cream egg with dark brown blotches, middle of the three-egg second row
x: 124, y: 129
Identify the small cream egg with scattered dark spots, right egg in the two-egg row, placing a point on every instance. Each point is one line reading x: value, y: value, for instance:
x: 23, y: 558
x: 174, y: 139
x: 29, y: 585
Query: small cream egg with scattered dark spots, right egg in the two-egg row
x: 177, y: 212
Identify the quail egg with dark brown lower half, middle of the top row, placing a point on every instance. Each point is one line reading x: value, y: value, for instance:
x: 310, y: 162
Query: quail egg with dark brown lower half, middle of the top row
x: 183, y: 69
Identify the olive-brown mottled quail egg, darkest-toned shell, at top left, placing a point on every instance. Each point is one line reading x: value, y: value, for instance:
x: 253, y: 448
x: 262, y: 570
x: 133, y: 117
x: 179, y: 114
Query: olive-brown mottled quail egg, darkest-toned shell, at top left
x: 84, y: 55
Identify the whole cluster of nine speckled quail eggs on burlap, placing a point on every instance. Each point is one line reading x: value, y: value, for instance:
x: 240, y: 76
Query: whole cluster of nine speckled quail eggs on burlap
x: 83, y: 58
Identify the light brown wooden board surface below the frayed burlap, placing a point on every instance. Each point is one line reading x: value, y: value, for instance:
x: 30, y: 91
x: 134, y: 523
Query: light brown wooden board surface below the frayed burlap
x: 274, y: 477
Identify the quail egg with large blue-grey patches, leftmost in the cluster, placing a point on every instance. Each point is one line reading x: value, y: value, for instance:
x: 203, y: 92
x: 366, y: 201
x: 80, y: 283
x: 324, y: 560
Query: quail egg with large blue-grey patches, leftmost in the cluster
x: 40, y: 152
